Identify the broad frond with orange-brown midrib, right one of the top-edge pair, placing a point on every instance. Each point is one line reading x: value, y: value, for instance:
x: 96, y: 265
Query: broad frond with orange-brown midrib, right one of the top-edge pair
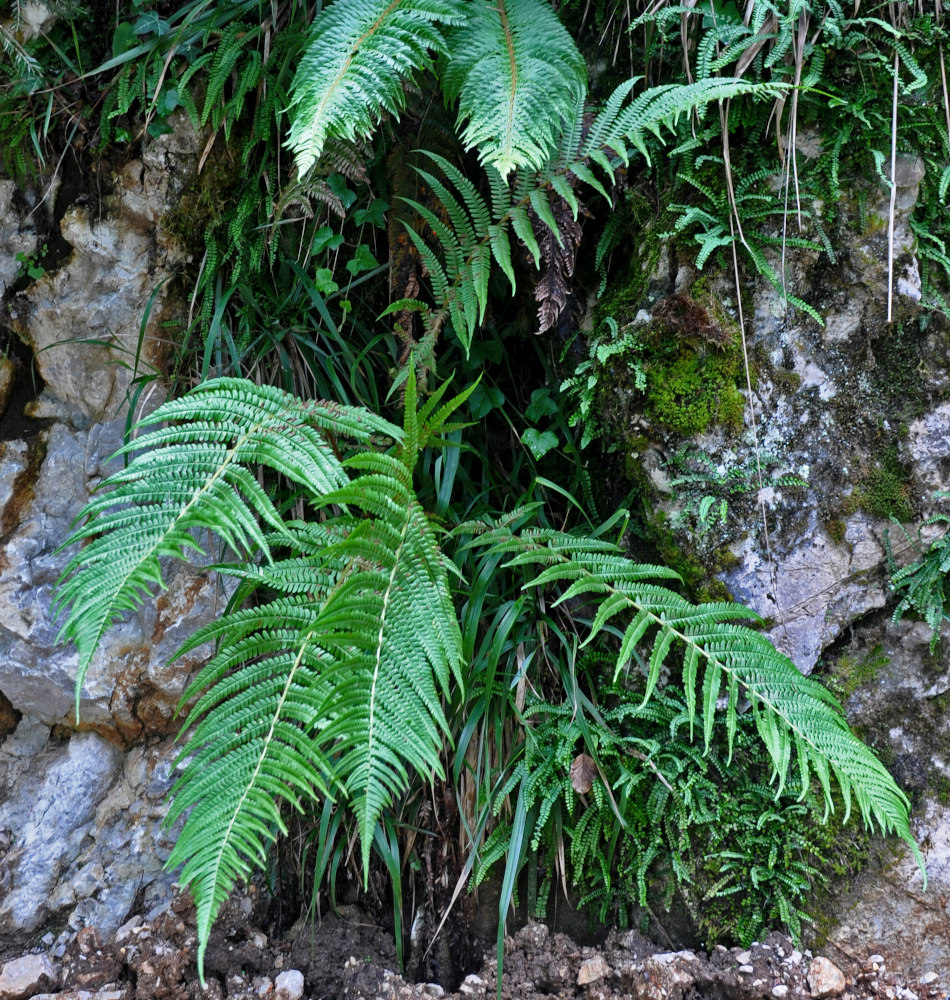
x: 518, y: 78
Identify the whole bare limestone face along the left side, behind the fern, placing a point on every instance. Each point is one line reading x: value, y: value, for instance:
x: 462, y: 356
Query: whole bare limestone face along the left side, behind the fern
x: 81, y: 813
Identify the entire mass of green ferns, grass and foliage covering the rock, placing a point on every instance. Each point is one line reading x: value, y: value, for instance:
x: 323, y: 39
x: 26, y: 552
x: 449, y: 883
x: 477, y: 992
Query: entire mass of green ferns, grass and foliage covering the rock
x: 401, y: 553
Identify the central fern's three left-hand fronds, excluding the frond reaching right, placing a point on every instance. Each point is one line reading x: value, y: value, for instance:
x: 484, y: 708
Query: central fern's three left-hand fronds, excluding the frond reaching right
x: 332, y: 686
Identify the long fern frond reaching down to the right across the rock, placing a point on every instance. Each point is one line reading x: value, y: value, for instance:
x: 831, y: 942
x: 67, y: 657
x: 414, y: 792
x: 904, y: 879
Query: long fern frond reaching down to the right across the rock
x: 718, y: 657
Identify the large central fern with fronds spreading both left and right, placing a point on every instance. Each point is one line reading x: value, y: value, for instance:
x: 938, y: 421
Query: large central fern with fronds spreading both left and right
x: 334, y: 682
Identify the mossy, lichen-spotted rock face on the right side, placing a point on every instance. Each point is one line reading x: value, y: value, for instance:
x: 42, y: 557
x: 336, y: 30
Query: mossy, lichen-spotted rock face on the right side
x: 852, y: 430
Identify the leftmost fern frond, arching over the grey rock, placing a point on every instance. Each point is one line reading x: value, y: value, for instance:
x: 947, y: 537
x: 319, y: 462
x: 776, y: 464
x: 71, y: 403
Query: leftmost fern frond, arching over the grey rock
x: 197, y: 481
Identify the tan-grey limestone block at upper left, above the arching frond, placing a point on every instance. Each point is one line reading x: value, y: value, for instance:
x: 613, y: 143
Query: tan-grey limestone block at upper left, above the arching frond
x: 84, y: 318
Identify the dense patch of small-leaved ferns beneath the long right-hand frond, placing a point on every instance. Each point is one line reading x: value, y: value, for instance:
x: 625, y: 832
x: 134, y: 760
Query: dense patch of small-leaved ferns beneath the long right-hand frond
x: 645, y: 814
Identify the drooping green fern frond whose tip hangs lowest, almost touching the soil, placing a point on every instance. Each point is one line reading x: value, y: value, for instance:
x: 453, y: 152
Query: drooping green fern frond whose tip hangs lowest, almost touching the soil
x: 253, y: 745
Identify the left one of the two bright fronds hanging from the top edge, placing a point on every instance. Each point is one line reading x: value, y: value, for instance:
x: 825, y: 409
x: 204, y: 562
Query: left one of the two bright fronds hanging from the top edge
x: 359, y: 55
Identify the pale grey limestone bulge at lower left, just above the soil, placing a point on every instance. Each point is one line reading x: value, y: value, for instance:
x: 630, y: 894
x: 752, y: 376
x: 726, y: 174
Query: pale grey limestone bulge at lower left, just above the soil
x: 87, y: 828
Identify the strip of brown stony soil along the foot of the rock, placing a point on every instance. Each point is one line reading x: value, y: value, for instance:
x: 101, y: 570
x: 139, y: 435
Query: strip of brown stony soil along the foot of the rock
x: 348, y: 955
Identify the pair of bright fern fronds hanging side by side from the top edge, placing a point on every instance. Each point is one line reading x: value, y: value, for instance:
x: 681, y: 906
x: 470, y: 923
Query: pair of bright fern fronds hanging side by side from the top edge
x: 510, y: 64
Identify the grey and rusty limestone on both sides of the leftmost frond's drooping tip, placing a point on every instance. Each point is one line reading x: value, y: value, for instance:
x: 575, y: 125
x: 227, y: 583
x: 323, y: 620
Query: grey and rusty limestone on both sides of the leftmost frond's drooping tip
x: 43, y: 485
